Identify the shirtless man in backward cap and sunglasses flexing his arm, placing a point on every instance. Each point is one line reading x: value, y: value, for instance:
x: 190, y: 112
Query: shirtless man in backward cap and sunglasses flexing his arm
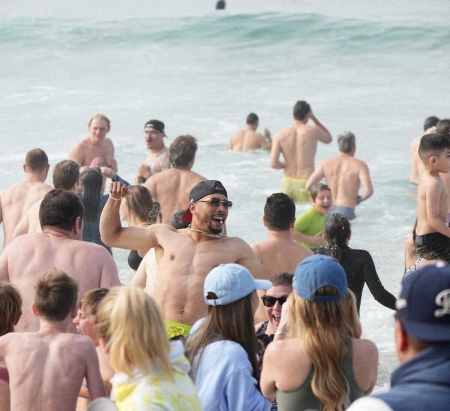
x: 184, y: 257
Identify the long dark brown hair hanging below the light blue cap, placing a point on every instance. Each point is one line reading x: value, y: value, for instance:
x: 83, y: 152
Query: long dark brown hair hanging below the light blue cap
x: 230, y: 322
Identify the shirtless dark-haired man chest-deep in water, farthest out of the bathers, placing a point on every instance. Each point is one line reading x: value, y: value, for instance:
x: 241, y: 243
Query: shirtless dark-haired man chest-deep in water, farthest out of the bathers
x: 249, y: 139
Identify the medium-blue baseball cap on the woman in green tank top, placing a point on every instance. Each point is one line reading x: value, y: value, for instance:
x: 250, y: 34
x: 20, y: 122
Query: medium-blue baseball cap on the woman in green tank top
x: 316, y: 272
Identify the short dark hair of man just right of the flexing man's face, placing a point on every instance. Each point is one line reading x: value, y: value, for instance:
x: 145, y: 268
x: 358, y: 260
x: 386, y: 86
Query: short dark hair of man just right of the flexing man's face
x: 279, y: 212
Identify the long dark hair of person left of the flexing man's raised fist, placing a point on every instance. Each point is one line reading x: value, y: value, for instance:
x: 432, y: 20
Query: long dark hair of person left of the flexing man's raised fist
x: 90, y: 193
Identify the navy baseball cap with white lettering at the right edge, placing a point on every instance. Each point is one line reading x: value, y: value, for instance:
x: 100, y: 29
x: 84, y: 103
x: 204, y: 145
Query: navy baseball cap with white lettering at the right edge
x: 424, y: 303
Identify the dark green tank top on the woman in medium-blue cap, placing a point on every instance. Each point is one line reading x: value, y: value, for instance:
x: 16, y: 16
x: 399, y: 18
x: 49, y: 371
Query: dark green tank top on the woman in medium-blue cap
x: 302, y: 397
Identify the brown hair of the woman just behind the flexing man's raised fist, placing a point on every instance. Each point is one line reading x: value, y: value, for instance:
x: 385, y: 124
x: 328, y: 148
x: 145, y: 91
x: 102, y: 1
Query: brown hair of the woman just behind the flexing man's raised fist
x: 141, y: 205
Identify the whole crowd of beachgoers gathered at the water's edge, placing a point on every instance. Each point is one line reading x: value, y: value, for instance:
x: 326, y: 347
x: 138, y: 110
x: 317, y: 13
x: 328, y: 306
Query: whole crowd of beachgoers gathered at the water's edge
x: 209, y: 321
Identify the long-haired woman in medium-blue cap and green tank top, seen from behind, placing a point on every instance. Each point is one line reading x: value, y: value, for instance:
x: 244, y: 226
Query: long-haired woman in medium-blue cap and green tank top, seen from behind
x: 317, y: 360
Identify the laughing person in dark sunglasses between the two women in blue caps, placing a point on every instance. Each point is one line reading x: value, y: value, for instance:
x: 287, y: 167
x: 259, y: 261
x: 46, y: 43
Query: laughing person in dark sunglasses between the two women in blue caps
x: 274, y: 298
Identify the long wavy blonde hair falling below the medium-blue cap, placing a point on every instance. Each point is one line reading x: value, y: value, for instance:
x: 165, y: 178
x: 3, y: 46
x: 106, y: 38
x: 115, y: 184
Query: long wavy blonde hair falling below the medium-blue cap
x: 325, y: 330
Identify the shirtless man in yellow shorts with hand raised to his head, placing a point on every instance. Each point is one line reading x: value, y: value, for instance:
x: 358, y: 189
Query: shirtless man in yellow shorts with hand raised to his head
x: 298, y: 144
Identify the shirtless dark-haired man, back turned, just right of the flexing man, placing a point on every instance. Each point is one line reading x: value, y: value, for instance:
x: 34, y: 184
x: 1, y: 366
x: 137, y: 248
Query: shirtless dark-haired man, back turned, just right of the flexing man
x: 279, y: 253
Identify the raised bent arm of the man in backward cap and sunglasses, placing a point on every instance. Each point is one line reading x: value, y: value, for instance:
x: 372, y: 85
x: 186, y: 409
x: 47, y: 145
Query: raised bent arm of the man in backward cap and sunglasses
x: 112, y: 232
